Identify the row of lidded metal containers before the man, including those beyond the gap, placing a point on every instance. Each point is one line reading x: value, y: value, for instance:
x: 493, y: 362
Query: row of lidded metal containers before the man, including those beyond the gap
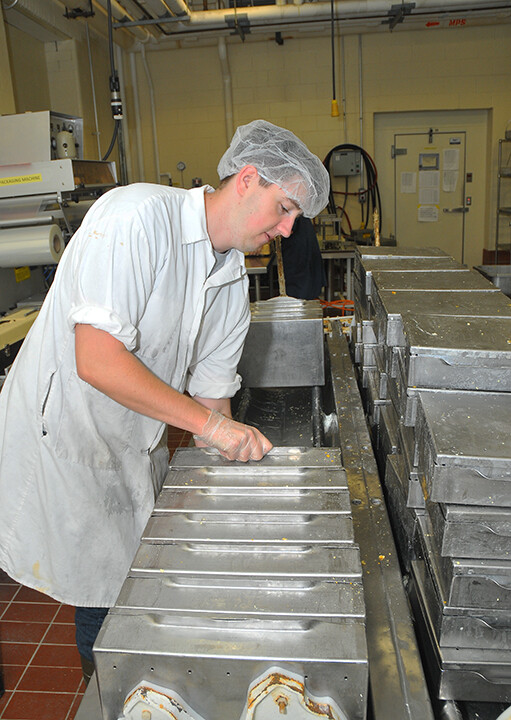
x: 245, y: 597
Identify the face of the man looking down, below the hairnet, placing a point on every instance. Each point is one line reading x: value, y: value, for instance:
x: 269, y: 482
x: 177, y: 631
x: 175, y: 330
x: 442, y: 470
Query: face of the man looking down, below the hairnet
x: 266, y: 211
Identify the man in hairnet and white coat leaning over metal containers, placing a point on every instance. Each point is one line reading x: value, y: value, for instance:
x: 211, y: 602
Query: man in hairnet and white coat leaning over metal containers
x: 149, y: 301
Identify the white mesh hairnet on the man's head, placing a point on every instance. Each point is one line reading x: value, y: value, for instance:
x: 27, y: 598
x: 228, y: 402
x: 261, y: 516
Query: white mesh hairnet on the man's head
x: 281, y: 158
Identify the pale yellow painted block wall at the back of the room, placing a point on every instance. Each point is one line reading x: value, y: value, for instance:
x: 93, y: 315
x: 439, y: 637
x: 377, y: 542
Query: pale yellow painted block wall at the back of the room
x: 446, y: 68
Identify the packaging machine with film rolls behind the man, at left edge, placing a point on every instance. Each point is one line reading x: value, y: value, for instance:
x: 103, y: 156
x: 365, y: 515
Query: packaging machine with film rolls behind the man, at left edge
x: 46, y: 187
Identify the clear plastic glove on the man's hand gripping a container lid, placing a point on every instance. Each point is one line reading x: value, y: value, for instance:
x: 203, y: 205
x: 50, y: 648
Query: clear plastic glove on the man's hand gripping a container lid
x: 232, y: 439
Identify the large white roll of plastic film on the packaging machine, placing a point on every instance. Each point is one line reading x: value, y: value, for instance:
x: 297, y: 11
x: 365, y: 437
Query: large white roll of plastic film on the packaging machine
x: 31, y: 245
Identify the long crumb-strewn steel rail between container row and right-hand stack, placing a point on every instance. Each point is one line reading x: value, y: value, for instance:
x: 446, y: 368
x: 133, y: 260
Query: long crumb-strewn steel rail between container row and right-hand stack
x: 397, y: 683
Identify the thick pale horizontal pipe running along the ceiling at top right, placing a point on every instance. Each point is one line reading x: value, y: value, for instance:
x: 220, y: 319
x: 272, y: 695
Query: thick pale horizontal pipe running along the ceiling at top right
x: 249, y: 18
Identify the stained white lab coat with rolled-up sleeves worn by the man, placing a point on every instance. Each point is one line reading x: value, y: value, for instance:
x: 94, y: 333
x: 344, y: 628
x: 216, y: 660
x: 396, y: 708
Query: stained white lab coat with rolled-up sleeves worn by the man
x: 79, y: 473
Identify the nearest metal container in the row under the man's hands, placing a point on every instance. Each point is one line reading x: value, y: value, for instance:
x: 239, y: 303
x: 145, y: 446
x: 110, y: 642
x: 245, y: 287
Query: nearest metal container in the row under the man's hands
x: 211, y: 661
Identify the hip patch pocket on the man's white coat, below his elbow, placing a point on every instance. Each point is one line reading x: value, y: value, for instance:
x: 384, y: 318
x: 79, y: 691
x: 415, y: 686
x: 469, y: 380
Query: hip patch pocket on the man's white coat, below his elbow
x: 89, y: 427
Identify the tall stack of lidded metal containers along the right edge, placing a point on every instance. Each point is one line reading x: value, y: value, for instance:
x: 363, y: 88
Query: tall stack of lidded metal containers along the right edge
x: 432, y: 341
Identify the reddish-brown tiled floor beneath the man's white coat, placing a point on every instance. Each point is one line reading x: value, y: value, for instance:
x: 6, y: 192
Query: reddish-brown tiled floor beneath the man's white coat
x: 38, y: 657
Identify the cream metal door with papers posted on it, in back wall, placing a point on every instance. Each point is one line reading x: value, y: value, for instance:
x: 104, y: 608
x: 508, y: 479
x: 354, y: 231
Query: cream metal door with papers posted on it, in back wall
x: 429, y: 190
